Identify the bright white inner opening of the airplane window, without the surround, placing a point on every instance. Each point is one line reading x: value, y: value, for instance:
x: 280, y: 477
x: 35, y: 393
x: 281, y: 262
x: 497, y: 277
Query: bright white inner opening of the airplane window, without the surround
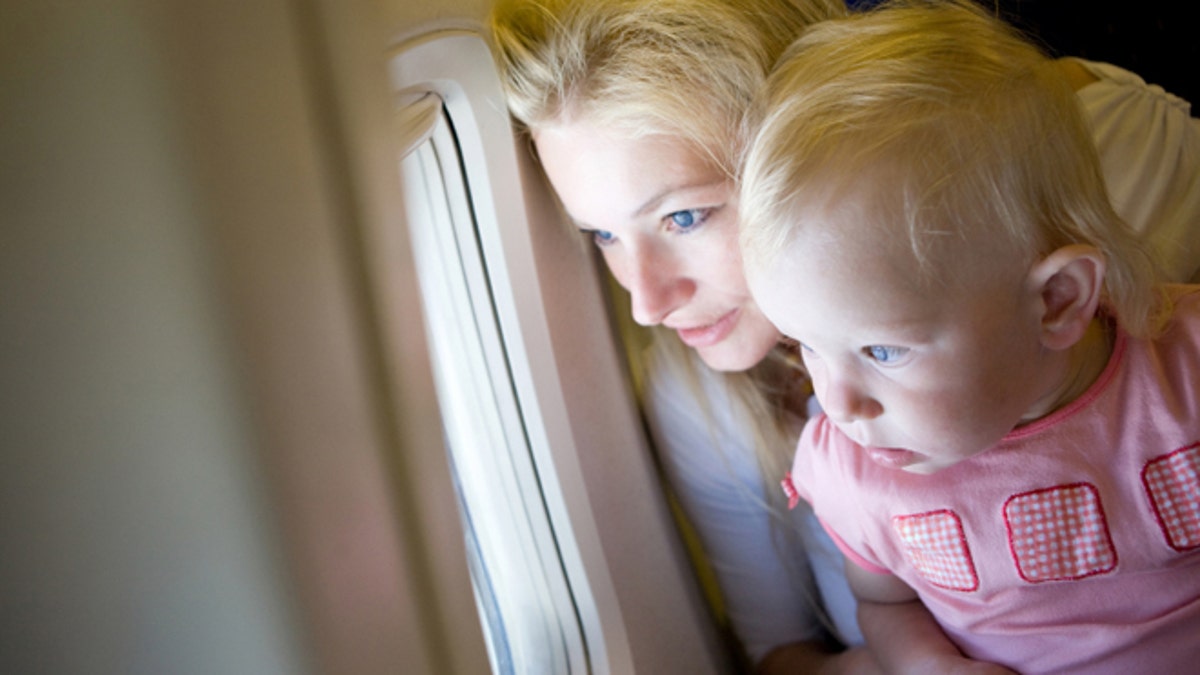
x: 507, y: 522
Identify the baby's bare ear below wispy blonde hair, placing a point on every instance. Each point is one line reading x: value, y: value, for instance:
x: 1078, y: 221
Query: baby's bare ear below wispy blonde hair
x: 1071, y: 283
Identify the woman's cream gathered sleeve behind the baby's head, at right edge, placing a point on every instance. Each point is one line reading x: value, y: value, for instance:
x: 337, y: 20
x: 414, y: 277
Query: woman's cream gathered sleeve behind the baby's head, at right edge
x: 1150, y: 151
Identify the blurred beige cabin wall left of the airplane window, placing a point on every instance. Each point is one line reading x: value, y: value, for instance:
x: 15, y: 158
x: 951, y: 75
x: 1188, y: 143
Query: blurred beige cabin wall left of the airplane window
x: 203, y: 471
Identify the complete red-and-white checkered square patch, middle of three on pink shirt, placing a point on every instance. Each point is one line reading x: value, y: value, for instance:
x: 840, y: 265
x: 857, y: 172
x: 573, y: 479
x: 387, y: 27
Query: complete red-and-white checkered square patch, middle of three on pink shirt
x: 1059, y: 534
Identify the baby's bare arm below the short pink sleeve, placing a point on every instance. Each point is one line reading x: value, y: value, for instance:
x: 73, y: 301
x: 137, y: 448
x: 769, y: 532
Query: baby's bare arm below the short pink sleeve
x: 902, y: 634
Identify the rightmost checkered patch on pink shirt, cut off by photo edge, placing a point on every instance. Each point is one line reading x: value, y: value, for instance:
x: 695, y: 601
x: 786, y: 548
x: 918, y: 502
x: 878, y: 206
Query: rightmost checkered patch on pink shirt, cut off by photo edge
x: 1173, y: 482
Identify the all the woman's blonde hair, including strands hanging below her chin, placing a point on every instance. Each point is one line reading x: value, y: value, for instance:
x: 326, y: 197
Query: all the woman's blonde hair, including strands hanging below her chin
x: 682, y: 69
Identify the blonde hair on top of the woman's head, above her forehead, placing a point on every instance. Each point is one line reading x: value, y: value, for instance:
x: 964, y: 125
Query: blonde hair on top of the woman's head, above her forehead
x: 686, y: 69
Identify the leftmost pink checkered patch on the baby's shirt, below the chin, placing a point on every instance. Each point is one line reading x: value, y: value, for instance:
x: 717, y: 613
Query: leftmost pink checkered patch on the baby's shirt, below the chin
x: 937, y: 547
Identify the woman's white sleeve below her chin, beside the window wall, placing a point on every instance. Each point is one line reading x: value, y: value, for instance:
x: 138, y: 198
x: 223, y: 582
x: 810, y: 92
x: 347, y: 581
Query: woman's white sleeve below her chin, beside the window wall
x: 711, y: 464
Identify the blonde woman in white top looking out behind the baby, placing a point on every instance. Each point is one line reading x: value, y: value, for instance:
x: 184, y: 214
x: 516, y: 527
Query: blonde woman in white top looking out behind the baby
x: 637, y: 112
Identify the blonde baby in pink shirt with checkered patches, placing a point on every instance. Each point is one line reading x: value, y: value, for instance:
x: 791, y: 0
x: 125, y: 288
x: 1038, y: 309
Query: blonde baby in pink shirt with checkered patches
x: 1011, y: 427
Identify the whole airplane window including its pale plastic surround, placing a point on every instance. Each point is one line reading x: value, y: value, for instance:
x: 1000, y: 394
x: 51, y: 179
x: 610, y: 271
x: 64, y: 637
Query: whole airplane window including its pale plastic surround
x: 575, y: 561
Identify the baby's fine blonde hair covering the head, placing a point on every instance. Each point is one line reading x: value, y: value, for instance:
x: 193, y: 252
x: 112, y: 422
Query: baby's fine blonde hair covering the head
x: 950, y: 129
